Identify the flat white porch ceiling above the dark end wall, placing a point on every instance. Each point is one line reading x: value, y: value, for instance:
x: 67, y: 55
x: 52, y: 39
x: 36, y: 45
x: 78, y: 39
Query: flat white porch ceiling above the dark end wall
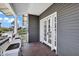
x: 30, y: 8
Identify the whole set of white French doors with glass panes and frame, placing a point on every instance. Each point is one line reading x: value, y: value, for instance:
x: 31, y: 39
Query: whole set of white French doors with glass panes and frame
x: 48, y: 31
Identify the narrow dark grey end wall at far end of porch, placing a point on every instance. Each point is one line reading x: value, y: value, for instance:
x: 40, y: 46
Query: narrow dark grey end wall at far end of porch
x: 33, y: 28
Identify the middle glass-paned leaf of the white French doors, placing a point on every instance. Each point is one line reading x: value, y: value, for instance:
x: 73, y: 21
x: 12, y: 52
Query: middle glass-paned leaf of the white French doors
x: 49, y: 30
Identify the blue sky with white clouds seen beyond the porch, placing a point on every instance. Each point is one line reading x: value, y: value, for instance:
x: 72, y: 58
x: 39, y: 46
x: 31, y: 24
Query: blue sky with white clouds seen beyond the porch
x: 7, y: 20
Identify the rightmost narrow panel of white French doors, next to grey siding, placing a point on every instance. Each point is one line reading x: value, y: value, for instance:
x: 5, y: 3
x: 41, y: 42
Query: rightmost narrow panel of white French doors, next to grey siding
x: 54, y: 31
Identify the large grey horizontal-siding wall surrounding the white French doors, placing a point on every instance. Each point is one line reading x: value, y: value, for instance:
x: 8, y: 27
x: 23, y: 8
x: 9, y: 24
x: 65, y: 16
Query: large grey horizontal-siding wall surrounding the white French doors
x: 68, y: 27
